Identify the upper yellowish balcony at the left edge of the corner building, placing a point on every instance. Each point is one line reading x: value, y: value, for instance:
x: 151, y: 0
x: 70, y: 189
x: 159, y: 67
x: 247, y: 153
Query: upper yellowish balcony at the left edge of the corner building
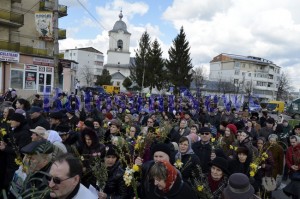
x: 12, y: 19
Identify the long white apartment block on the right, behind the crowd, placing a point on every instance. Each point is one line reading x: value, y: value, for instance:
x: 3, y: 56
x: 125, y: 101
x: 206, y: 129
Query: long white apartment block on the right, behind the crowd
x: 256, y: 74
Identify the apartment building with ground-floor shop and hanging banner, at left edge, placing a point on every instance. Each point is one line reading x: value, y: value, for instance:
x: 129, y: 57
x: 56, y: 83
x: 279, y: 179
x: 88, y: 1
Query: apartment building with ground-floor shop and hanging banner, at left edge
x: 27, y: 44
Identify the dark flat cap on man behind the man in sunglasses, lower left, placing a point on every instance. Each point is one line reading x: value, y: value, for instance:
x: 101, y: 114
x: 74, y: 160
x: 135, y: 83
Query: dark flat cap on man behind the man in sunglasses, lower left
x: 35, y: 147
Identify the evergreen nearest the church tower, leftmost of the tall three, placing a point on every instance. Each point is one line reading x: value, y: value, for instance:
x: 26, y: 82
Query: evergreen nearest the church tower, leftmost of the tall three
x: 139, y: 71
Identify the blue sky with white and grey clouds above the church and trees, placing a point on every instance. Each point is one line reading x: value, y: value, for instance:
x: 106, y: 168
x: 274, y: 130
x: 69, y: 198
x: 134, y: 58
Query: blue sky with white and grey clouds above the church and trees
x: 263, y: 28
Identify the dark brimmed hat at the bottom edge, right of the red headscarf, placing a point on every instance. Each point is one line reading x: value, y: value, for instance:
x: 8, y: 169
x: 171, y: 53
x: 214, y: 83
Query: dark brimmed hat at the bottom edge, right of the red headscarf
x: 238, y: 187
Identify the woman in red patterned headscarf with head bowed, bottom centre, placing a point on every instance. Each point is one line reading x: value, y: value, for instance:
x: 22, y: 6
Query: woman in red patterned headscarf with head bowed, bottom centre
x: 167, y: 183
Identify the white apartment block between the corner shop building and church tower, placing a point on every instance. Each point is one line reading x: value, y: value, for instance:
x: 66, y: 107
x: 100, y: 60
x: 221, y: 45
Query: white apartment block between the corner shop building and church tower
x: 90, y: 64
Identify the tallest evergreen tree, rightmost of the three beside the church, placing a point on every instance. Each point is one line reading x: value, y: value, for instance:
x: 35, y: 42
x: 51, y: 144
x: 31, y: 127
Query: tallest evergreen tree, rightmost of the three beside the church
x: 180, y: 63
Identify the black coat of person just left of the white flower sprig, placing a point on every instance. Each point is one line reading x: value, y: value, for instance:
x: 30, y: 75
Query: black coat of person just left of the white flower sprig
x: 115, y: 186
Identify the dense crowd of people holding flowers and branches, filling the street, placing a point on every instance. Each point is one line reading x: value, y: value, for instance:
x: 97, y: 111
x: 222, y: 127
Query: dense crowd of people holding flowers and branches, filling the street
x: 137, y: 147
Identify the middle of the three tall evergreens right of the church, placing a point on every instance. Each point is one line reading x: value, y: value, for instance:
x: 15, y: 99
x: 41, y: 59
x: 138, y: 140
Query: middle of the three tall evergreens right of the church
x: 156, y: 63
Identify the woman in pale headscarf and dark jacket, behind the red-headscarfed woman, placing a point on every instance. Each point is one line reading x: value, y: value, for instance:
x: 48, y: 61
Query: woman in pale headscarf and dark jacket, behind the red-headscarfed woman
x: 186, y: 160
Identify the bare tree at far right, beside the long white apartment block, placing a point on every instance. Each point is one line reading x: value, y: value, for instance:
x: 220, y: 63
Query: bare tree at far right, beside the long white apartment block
x: 284, y: 86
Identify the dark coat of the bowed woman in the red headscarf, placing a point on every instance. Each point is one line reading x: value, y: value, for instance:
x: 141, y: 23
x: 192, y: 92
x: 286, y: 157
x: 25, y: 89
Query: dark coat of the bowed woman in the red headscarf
x: 179, y: 190
